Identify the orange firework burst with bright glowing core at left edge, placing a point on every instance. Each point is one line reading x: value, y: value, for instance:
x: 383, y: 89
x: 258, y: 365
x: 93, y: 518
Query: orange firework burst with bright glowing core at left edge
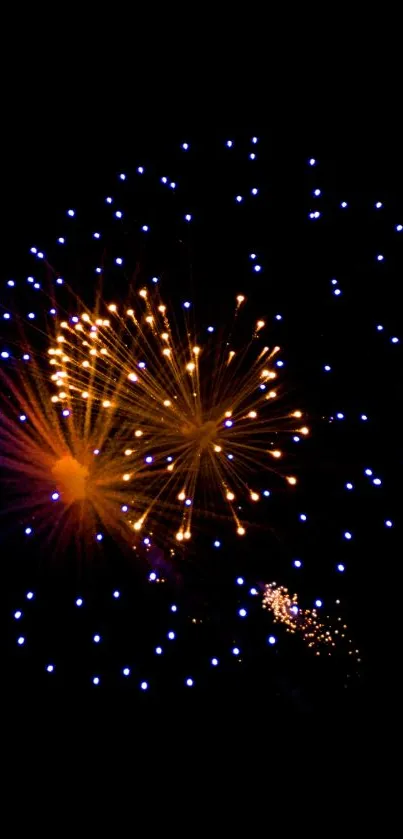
x: 49, y: 458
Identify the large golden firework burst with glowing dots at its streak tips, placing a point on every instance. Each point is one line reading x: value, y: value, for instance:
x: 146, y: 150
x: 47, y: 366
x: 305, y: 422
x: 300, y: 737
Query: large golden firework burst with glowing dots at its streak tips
x: 199, y: 423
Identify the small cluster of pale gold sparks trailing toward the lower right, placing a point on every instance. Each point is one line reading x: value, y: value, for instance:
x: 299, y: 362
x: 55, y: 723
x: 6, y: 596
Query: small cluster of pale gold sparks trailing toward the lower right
x: 318, y: 635
